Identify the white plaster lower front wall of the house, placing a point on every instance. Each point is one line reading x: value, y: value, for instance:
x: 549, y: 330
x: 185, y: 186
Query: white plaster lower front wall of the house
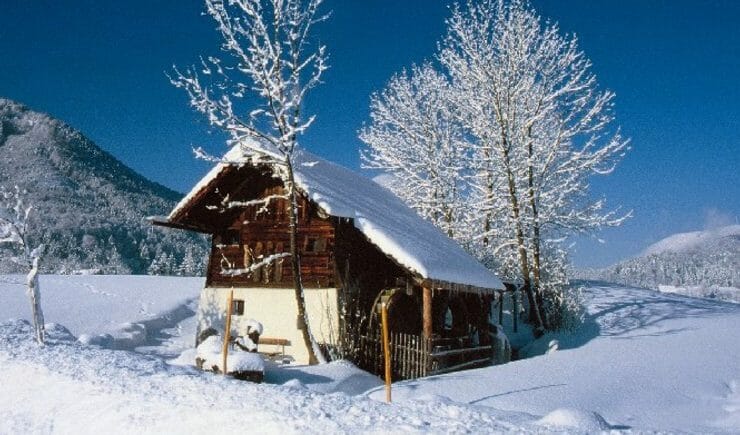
x: 277, y: 311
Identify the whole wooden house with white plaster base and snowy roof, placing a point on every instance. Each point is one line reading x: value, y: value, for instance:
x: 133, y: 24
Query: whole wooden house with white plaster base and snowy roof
x: 357, y: 242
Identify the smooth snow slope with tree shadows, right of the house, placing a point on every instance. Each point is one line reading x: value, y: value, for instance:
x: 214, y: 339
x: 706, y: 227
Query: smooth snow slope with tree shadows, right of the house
x: 643, y: 360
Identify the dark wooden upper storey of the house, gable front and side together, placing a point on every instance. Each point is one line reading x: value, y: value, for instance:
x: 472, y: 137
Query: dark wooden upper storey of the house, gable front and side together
x: 331, y: 248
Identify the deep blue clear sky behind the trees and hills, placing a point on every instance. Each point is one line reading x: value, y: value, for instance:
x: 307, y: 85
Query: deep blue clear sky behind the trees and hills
x: 674, y: 65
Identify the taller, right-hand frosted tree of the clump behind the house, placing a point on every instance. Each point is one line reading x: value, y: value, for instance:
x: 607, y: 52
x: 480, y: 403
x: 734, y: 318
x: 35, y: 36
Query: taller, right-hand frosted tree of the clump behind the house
x: 539, y: 125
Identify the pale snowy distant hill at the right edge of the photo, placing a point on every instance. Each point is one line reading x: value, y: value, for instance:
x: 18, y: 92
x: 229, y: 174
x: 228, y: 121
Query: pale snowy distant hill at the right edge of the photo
x: 698, y: 263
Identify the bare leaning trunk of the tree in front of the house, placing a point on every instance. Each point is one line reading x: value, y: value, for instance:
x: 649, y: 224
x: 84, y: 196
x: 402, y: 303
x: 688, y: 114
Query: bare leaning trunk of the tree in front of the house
x: 314, y: 353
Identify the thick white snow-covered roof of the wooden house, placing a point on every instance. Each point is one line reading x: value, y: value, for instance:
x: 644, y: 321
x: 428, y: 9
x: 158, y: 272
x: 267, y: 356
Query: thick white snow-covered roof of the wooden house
x: 397, y: 230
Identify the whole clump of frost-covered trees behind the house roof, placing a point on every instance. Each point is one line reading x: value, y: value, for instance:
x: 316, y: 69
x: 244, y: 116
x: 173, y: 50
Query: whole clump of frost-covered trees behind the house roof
x: 531, y: 128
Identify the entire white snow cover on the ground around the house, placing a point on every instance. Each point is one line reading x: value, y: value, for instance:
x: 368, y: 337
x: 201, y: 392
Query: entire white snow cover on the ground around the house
x: 644, y: 361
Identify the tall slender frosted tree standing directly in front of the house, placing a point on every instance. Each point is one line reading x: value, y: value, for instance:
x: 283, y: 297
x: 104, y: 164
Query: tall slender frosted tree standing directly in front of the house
x: 255, y: 93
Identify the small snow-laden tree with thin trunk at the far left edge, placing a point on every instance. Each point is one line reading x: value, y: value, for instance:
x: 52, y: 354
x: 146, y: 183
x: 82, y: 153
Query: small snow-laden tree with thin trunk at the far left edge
x: 14, y: 216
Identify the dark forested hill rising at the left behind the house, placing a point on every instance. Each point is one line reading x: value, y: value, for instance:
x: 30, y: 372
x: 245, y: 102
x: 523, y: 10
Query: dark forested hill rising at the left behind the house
x: 89, y: 209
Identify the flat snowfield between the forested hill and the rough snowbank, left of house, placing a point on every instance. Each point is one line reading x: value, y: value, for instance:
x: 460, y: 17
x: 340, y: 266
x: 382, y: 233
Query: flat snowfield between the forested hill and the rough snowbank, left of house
x: 116, y: 310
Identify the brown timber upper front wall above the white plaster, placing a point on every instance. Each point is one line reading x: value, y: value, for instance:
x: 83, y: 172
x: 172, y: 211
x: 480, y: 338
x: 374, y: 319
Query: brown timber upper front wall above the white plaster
x: 259, y: 231
